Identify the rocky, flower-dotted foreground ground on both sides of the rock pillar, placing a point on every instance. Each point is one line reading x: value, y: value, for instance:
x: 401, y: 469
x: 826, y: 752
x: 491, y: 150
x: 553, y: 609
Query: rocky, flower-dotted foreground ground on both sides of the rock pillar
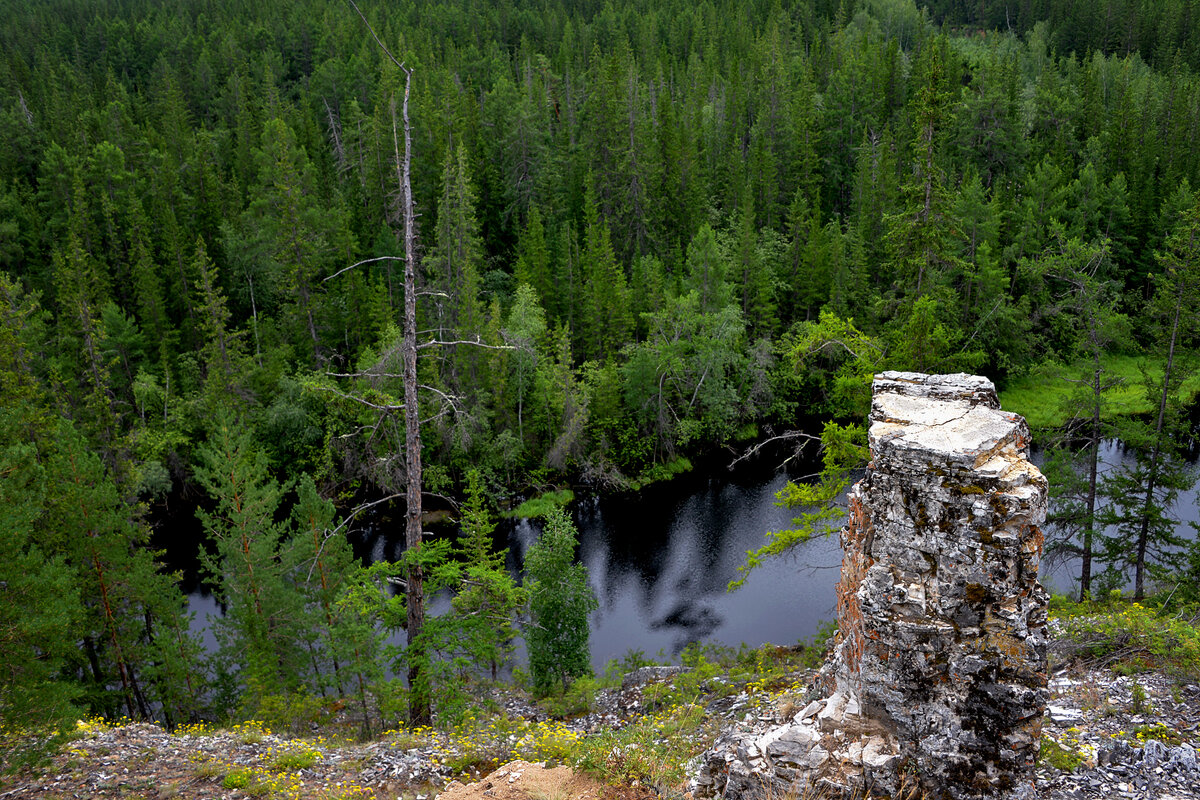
x: 1117, y: 737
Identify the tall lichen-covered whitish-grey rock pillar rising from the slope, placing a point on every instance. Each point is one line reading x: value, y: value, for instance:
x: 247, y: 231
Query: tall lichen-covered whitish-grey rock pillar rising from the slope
x: 939, y: 675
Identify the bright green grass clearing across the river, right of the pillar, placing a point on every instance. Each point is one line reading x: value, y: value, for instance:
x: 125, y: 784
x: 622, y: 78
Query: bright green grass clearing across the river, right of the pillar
x: 1042, y: 396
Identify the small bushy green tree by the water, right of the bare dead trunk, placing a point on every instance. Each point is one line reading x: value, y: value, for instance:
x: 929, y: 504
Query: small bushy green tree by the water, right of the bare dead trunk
x: 560, y: 604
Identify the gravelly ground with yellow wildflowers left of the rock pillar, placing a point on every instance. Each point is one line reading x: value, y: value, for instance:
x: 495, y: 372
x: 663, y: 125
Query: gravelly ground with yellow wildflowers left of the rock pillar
x: 141, y: 761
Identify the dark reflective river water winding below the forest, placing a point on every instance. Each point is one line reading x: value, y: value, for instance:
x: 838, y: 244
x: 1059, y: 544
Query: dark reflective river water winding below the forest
x: 661, y: 562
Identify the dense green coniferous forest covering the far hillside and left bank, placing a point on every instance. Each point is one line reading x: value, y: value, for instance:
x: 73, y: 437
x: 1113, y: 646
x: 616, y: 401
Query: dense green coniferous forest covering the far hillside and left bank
x: 645, y: 232
